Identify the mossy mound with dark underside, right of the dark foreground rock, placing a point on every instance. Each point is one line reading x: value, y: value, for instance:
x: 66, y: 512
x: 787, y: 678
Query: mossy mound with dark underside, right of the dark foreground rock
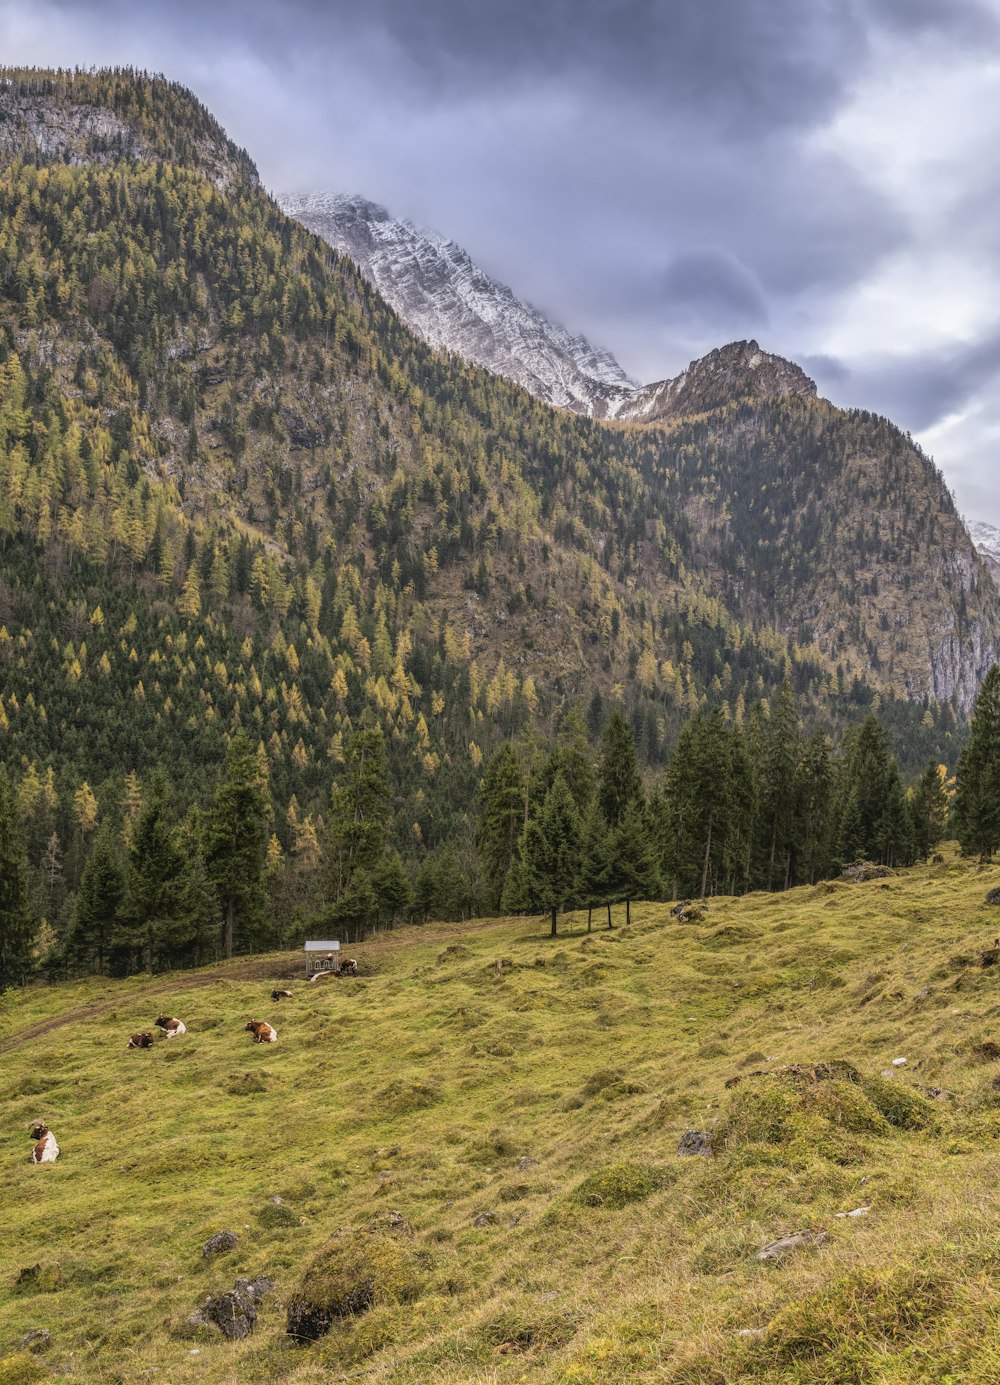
x: 351, y: 1275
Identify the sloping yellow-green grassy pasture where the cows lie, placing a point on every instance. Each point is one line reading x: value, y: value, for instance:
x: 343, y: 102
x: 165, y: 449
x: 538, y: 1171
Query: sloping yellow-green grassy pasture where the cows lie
x: 546, y: 1106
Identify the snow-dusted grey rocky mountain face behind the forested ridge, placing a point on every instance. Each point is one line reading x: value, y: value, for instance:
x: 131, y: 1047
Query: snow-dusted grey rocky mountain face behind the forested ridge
x: 455, y: 305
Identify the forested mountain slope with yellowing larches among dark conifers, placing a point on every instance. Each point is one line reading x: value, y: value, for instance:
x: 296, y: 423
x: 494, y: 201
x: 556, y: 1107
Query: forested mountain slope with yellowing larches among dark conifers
x: 238, y: 491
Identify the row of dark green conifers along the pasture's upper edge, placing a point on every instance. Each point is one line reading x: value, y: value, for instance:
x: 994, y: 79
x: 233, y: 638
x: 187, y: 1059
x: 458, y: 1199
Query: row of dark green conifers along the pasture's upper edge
x: 757, y: 807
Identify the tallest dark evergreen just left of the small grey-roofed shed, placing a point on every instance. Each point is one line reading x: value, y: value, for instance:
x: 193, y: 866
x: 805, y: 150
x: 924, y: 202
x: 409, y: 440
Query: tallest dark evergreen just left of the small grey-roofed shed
x: 238, y: 843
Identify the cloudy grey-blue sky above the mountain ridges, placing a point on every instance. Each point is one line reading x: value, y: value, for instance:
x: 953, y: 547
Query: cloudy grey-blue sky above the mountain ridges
x: 663, y: 175
